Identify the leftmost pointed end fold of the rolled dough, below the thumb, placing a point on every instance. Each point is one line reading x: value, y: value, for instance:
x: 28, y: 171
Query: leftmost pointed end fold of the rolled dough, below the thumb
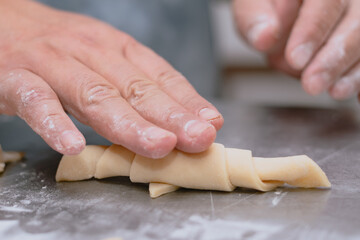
x: 81, y: 166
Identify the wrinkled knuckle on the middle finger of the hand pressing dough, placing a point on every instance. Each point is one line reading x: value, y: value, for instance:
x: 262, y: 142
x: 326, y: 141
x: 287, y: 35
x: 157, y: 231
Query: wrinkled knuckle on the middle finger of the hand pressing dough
x: 139, y: 90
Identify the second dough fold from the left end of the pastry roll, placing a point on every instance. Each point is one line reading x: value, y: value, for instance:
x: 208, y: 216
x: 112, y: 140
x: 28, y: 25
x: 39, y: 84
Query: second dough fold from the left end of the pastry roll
x: 116, y: 161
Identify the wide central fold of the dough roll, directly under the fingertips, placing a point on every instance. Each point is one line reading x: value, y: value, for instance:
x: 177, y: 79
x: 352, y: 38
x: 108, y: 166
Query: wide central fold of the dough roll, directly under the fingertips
x: 206, y: 170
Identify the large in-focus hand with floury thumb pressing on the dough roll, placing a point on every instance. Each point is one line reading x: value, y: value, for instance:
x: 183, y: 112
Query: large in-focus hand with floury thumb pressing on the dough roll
x: 51, y: 61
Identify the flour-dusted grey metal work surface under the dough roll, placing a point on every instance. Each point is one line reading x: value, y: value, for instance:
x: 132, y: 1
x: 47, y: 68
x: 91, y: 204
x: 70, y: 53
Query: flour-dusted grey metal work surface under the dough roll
x: 34, y: 206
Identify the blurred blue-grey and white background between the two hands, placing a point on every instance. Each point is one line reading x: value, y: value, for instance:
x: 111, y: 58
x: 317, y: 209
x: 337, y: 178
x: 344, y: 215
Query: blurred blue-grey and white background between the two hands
x: 200, y: 40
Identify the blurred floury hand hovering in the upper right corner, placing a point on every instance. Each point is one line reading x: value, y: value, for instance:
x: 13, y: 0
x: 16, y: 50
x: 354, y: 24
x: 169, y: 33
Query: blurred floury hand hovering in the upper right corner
x: 317, y: 40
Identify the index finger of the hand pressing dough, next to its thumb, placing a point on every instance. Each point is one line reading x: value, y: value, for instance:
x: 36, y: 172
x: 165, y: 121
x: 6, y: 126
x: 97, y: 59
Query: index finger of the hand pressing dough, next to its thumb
x: 94, y: 101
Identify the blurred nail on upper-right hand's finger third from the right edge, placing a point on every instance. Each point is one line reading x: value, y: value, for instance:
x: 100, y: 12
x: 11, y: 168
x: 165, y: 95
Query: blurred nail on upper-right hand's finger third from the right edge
x: 301, y: 55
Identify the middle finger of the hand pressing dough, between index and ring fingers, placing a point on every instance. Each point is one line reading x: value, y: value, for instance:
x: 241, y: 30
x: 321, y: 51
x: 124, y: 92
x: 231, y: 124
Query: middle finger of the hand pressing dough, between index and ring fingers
x: 144, y: 95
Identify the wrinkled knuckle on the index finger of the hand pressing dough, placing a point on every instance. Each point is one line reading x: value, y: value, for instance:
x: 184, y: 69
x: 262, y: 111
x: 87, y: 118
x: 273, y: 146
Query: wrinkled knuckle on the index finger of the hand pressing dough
x: 95, y: 93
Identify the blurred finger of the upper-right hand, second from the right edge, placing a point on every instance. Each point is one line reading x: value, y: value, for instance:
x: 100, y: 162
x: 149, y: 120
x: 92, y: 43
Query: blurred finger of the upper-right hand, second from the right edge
x: 337, y: 56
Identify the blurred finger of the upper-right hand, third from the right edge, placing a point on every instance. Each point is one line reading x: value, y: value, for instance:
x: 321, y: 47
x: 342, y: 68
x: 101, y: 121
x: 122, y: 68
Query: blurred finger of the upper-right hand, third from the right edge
x: 314, y: 24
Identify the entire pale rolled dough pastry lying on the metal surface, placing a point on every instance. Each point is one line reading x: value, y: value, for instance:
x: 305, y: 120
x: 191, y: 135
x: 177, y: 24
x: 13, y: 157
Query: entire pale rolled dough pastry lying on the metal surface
x: 218, y: 168
